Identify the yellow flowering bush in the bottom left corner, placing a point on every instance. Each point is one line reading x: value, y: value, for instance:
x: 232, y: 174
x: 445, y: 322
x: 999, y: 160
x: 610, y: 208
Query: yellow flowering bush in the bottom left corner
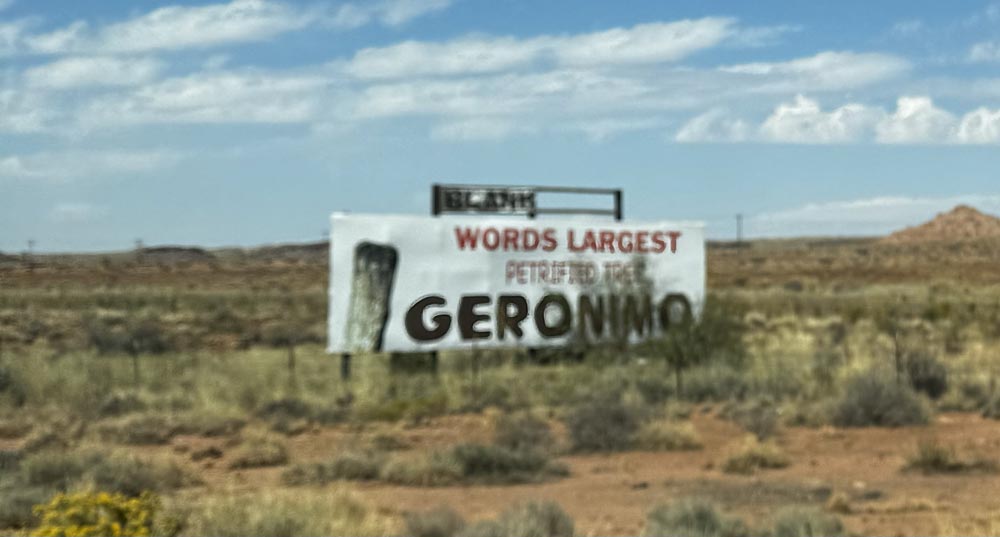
x: 96, y: 514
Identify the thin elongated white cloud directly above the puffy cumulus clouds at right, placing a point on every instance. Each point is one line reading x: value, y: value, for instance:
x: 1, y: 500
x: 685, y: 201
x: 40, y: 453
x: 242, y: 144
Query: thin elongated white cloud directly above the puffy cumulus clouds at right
x: 829, y: 70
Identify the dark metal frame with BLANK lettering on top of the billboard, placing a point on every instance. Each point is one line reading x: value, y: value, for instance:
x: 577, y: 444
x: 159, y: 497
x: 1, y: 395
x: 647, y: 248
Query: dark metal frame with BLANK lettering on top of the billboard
x: 439, y: 204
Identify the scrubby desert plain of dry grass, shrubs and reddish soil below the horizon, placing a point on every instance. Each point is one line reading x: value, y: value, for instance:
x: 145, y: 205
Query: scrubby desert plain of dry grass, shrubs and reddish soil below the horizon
x: 835, y: 386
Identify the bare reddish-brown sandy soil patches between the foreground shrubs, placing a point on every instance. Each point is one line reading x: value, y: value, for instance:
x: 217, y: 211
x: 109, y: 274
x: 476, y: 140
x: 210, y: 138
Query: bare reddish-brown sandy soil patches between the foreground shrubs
x: 610, y: 494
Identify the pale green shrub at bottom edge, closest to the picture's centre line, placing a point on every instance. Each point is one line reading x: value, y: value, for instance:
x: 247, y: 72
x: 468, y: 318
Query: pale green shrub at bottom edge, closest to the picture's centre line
x: 533, y: 519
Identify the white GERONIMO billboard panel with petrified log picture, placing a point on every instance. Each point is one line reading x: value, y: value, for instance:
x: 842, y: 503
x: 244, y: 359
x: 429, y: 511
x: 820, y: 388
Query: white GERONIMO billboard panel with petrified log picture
x: 403, y: 283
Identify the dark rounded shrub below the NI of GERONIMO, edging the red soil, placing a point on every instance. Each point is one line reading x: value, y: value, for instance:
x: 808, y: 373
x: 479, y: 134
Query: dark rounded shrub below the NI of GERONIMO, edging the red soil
x: 602, y: 423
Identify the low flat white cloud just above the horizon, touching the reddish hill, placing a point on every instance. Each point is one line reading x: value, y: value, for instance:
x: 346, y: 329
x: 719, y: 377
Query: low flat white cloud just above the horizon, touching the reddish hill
x: 871, y: 216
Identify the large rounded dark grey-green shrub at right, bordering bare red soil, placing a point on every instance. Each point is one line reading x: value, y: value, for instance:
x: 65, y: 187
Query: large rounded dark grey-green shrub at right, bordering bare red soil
x: 871, y: 400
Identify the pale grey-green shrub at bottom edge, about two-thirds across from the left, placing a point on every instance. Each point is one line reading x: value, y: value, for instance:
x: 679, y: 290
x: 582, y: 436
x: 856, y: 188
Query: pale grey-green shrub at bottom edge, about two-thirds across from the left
x: 692, y: 518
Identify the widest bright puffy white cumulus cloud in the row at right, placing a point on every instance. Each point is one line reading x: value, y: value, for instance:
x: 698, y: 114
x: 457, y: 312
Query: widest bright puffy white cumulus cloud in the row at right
x: 803, y: 121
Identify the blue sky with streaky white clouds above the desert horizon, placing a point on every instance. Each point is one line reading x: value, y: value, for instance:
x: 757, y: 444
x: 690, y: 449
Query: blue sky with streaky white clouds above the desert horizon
x: 249, y: 121
